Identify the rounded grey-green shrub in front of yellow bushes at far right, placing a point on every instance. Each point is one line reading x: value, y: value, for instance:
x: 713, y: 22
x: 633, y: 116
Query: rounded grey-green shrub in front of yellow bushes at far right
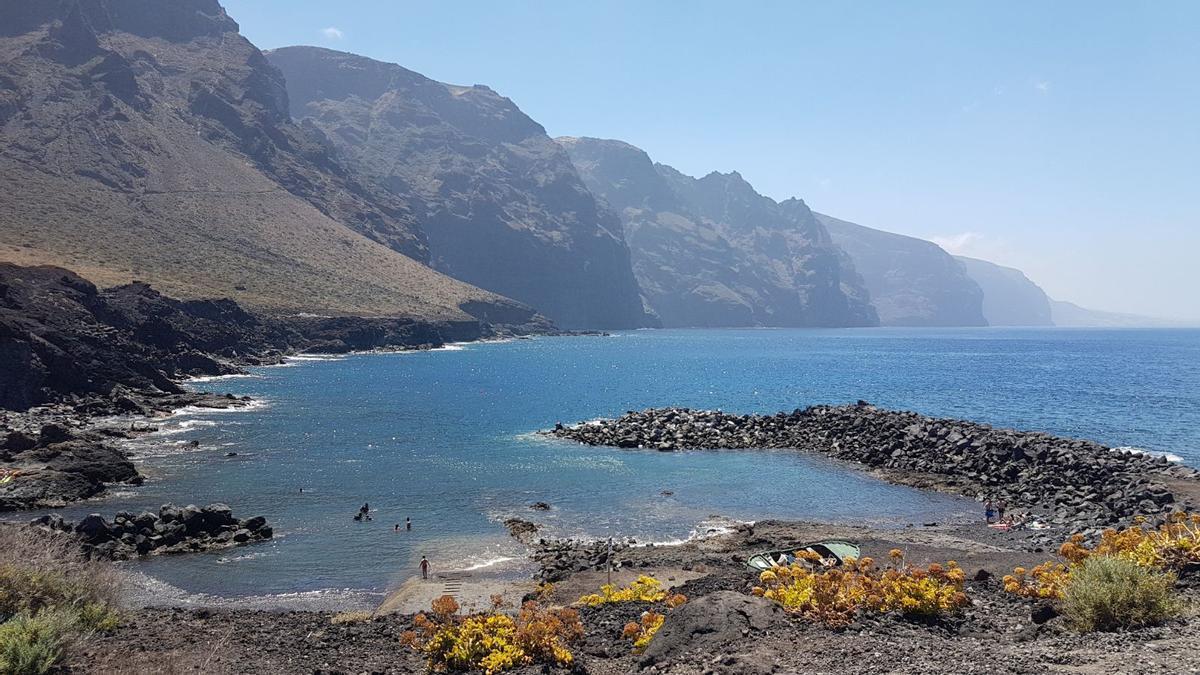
x: 1108, y: 594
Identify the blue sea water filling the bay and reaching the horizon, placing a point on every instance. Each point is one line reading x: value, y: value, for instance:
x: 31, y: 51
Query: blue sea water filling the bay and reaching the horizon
x: 448, y: 439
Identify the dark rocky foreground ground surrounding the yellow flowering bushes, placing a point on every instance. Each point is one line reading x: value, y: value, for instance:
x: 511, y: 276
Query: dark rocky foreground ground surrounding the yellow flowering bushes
x: 721, y: 630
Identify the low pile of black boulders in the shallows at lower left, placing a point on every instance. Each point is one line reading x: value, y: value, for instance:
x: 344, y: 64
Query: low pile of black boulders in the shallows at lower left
x: 173, y: 530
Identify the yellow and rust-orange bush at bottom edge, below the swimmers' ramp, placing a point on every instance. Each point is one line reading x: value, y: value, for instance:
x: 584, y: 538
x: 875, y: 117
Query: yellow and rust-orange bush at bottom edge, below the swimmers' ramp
x: 494, y: 642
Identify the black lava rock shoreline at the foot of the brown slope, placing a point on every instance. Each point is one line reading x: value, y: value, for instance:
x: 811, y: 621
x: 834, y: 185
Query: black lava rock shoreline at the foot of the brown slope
x: 63, y: 339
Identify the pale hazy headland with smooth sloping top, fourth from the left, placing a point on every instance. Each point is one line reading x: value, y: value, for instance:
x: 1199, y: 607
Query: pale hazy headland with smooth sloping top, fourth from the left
x: 911, y: 282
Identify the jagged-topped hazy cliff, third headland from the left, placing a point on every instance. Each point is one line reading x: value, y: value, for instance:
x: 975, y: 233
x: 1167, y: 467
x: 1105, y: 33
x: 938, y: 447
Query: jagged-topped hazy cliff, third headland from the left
x: 713, y: 253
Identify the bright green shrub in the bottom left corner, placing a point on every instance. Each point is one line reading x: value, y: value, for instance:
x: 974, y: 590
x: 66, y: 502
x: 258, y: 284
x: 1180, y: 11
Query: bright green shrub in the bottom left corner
x: 32, y: 646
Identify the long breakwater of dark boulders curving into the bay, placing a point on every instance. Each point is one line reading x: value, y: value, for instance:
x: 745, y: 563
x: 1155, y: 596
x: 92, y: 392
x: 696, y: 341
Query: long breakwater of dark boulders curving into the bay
x: 1067, y: 482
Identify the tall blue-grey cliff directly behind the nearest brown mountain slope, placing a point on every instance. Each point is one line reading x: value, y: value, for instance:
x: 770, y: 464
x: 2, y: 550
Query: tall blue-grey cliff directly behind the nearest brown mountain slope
x: 499, y: 200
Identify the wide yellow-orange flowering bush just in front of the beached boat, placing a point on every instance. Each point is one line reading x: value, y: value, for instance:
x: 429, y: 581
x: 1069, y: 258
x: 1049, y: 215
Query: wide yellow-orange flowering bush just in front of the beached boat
x: 836, y: 595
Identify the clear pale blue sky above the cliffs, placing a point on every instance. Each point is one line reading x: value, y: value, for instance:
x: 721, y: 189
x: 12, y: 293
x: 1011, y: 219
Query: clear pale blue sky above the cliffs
x: 1059, y: 138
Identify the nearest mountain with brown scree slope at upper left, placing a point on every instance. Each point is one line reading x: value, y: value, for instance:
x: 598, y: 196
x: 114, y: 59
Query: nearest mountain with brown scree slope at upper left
x: 151, y: 141
